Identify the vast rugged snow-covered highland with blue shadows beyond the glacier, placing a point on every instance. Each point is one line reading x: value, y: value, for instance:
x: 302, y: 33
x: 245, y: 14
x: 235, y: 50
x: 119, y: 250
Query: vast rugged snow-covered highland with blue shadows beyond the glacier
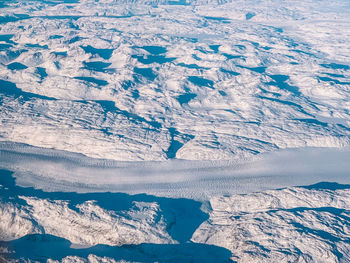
x: 193, y: 80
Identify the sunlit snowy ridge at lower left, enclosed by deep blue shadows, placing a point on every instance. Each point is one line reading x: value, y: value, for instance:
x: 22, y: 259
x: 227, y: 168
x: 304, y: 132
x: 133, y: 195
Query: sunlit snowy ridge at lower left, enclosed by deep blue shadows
x: 90, y: 225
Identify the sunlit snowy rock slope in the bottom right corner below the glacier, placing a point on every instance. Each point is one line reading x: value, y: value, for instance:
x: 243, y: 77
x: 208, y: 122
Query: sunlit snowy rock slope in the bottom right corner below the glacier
x: 288, y: 225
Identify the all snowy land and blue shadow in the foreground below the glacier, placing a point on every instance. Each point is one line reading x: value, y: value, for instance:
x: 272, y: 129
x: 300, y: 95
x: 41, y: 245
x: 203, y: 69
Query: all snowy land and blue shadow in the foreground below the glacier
x: 296, y: 224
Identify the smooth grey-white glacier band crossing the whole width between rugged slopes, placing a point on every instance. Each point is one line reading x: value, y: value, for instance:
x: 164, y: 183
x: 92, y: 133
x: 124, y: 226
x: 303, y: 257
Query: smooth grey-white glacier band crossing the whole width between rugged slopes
x: 54, y: 170
